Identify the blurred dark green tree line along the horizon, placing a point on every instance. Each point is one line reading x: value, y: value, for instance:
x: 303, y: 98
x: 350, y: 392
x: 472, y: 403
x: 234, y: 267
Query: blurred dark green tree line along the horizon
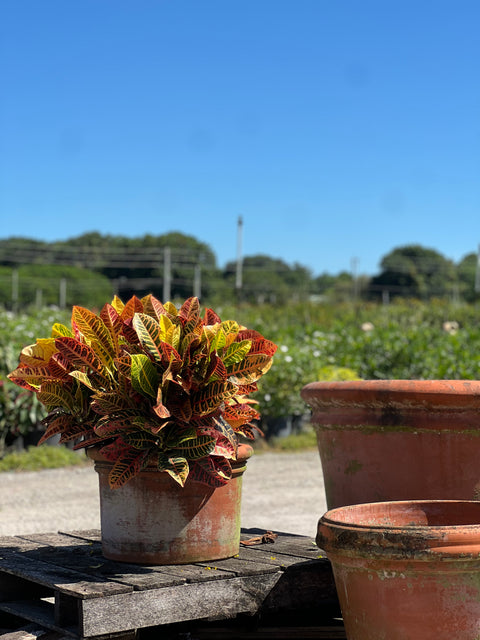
x: 90, y: 268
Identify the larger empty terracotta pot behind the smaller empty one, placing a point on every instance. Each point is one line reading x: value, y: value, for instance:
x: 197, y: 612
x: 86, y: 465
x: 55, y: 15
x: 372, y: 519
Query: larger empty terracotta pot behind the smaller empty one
x: 397, y: 439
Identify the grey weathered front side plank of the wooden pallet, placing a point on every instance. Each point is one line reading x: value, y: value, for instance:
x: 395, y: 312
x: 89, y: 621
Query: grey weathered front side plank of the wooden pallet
x: 221, y: 598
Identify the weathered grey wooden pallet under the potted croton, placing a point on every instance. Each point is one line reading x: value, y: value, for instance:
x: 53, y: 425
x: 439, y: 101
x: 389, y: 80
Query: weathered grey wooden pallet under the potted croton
x: 63, y: 583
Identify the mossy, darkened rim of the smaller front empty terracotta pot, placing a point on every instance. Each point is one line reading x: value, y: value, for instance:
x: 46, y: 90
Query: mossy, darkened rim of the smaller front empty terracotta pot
x: 450, y: 528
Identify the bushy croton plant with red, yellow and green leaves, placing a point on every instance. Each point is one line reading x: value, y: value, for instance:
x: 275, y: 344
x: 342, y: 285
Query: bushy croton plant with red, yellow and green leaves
x: 151, y: 385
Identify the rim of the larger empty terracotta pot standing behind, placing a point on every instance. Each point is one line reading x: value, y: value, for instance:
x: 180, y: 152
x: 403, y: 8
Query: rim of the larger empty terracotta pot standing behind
x: 411, y: 393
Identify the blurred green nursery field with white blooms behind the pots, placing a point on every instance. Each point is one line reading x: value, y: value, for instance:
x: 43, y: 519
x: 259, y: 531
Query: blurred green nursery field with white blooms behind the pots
x: 408, y: 339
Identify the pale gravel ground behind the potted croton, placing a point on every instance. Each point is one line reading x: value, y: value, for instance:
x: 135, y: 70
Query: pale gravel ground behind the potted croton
x: 281, y: 491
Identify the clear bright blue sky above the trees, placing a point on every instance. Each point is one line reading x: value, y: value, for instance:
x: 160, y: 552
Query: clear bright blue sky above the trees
x: 338, y: 129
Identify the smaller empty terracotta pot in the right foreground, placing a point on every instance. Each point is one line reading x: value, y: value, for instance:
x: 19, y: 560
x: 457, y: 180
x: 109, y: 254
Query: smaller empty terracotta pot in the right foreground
x: 406, y: 570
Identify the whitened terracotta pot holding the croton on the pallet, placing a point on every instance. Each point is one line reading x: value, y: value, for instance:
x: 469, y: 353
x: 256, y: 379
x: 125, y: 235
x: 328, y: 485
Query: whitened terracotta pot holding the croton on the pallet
x: 153, y: 520
